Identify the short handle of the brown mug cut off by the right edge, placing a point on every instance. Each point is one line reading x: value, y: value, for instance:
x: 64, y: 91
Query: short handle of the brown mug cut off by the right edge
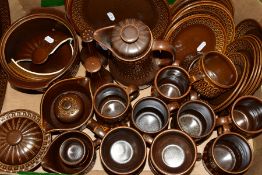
x: 224, y: 124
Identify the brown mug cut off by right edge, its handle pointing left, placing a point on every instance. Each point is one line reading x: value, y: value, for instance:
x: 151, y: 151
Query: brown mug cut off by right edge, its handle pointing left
x: 245, y: 117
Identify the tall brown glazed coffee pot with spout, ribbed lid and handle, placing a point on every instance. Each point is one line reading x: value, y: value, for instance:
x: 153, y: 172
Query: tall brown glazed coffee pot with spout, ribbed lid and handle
x: 136, y: 55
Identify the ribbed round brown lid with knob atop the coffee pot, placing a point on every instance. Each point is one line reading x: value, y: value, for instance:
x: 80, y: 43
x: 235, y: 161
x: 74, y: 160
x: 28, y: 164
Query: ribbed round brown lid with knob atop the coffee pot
x: 131, y: 38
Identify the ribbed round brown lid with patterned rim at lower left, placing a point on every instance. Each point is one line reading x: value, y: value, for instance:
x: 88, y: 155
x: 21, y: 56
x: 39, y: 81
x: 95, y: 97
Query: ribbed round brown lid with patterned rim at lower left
x: 22, y: 141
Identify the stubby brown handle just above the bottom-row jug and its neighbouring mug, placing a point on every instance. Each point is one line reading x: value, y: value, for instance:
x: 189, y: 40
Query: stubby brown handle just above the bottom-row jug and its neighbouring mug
x: 96, y: 128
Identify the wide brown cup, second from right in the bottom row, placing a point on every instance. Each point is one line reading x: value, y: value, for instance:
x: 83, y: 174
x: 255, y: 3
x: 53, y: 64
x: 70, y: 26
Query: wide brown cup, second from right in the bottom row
x: 172, y: 152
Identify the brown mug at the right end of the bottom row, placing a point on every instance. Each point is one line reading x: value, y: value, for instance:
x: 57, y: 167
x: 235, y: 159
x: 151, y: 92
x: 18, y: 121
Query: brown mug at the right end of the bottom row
x: 227, y: 154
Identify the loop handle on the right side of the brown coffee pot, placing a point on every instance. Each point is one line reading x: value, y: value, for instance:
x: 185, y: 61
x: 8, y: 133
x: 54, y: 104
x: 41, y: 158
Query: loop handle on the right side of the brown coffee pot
x: 161, y: 45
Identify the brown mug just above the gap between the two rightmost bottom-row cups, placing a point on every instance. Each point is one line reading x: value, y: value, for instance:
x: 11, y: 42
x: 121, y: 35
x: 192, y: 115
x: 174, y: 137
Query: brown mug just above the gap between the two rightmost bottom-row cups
x: 196, y: 118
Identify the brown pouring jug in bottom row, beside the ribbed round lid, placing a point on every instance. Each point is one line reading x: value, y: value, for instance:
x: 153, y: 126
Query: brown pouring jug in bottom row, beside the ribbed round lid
x: 74, y: 152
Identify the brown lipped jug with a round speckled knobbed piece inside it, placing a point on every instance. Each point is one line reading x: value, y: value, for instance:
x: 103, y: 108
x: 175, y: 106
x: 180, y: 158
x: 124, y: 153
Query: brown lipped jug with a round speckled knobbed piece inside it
x: 67, y: 105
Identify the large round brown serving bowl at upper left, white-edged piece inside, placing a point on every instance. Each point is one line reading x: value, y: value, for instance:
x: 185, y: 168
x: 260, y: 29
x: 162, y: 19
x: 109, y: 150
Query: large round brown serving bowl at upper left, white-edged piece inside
x: 24, y: 37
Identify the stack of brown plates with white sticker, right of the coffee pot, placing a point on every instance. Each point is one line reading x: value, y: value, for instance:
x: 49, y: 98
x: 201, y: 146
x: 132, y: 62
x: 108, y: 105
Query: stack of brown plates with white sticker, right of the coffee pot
x: 200, y: 26
